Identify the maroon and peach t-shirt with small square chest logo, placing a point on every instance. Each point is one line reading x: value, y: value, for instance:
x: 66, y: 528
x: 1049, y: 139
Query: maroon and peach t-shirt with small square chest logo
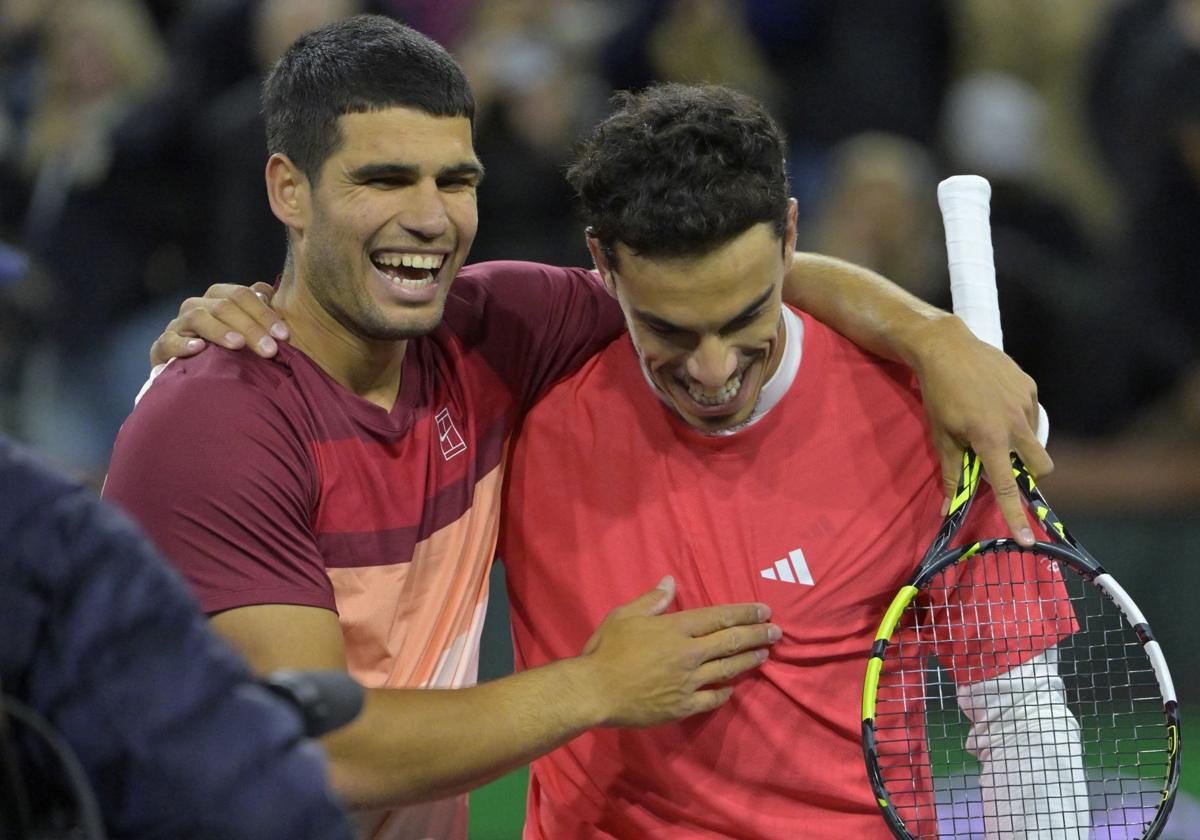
x: 268, y: 483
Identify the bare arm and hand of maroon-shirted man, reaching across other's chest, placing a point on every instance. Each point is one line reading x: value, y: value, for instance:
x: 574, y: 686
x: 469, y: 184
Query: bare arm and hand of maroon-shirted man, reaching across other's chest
x: 639, y: 669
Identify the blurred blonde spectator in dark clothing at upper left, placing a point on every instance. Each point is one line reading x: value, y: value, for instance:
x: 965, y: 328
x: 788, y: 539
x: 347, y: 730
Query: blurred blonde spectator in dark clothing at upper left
x: 99, y: 63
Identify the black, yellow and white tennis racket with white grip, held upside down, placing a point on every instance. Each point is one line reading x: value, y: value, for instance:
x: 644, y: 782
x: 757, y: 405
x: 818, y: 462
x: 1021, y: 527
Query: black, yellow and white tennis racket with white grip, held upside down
x: 1017, y: 693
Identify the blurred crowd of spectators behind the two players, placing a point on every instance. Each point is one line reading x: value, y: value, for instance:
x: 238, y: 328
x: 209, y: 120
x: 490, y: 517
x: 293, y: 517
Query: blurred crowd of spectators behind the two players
x: 133, y: 155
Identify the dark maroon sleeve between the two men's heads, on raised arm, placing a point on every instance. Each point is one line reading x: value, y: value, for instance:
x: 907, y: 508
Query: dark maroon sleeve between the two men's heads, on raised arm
x: 536, y: 323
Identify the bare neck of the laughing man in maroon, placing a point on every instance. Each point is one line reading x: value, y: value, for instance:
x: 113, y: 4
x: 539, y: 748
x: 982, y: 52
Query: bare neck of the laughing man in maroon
x: 364, y: 367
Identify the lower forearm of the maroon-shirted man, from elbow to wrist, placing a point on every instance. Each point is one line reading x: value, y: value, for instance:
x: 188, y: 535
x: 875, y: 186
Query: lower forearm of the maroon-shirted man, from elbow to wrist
x: 416, y: 745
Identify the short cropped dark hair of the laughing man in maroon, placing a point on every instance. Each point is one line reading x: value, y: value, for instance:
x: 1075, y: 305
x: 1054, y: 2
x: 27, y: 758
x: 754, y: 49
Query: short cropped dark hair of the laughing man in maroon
x: 355, y: 67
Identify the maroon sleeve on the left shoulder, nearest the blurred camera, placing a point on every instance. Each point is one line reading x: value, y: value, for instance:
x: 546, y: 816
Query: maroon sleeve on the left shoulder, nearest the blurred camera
x: 217, y: 473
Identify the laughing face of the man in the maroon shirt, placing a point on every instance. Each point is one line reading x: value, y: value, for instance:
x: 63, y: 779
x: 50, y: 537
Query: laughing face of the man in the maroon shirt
x: 380, y: 238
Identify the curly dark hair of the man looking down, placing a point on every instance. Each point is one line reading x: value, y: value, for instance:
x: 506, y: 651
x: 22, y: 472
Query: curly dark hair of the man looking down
x: 681, y: 170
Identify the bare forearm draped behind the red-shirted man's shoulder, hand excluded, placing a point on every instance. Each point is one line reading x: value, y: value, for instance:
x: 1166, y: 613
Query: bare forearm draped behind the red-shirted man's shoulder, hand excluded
x: 865, y: 307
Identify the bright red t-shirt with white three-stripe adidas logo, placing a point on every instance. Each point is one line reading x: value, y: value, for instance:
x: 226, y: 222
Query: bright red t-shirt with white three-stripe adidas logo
x: 823, y: 511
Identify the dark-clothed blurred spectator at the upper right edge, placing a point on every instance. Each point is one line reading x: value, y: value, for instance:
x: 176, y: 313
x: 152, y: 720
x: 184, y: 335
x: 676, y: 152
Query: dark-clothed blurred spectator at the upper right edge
x: 1145, y: 111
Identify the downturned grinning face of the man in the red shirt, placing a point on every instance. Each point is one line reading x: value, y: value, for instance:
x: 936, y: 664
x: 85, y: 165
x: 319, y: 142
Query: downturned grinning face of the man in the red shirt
x: 707, y: 329
